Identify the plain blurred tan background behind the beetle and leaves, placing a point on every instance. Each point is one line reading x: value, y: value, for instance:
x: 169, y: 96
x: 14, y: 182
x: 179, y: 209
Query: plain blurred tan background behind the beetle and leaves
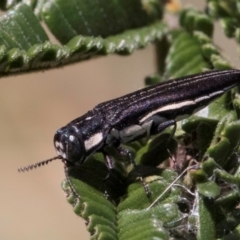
x: 32, y: 108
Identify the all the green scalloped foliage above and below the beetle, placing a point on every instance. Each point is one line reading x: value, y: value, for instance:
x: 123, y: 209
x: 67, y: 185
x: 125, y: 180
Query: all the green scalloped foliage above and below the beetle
x: 195, y: 196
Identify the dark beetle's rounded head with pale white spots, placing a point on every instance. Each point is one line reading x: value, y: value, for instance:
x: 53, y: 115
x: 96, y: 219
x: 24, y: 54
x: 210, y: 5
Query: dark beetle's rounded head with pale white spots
x: 68, y: 146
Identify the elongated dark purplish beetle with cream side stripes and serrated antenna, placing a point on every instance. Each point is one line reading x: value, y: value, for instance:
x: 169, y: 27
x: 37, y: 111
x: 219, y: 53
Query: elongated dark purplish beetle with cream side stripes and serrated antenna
x: 136, y: 115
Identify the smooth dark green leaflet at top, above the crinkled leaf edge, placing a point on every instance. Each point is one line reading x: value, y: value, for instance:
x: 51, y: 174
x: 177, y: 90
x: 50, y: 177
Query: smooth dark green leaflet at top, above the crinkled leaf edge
x: 98, y: 18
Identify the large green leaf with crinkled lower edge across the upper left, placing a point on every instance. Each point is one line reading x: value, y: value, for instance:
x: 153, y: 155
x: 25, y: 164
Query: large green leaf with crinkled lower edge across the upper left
x: 85, y: 29
